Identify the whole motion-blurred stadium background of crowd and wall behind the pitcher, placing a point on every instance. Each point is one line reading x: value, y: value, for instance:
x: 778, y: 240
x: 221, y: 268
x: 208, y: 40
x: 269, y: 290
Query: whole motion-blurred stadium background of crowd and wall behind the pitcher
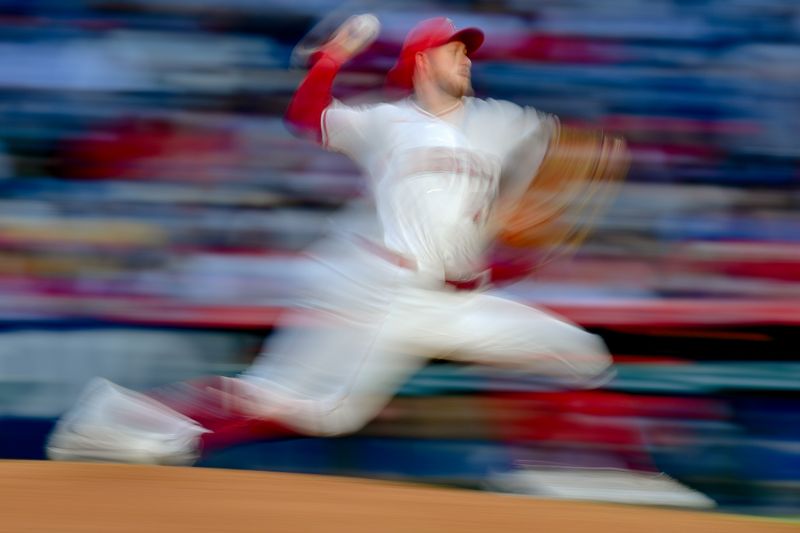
x: 153, y: 206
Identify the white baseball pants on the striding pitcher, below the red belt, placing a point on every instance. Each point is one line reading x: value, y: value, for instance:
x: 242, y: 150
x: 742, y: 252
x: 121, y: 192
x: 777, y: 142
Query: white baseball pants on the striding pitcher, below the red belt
x: 376, y: 324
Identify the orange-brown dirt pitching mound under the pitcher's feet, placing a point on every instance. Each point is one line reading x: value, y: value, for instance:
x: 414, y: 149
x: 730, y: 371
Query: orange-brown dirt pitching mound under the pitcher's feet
x: 81, y: 497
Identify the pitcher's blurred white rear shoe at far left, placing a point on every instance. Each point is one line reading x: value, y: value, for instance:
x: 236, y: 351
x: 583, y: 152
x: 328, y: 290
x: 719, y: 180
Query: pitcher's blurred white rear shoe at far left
x: 112, y: 424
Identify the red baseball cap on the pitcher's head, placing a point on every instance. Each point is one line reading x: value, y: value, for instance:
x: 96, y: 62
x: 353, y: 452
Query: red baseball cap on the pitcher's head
x: 429, y: 33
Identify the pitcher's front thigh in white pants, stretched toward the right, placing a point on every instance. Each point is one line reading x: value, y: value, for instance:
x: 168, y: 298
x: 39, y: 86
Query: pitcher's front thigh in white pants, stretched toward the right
x: 503, y: 332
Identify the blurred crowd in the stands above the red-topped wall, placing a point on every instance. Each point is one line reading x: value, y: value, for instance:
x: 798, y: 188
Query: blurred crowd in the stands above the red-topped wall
x: 144, y: 153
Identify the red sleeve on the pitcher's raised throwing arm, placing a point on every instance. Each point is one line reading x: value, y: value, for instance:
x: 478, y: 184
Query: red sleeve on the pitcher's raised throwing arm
x: 313, y: 96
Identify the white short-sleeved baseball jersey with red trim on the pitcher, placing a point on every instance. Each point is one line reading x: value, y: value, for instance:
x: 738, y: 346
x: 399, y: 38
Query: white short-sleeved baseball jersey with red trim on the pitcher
x: 434, y: 177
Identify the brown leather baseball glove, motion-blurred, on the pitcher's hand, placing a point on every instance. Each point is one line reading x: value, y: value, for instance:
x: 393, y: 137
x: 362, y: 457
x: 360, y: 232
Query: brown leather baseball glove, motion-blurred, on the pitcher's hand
x: 577, y: 177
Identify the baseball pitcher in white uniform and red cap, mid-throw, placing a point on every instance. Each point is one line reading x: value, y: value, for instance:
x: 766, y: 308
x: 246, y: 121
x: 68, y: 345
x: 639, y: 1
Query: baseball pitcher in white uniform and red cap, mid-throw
x: 404, y: 280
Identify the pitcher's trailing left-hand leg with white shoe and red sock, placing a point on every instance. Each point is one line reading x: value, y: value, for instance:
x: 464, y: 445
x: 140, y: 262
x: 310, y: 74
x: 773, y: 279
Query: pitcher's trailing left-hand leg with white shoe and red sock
x: 349, y: 377
